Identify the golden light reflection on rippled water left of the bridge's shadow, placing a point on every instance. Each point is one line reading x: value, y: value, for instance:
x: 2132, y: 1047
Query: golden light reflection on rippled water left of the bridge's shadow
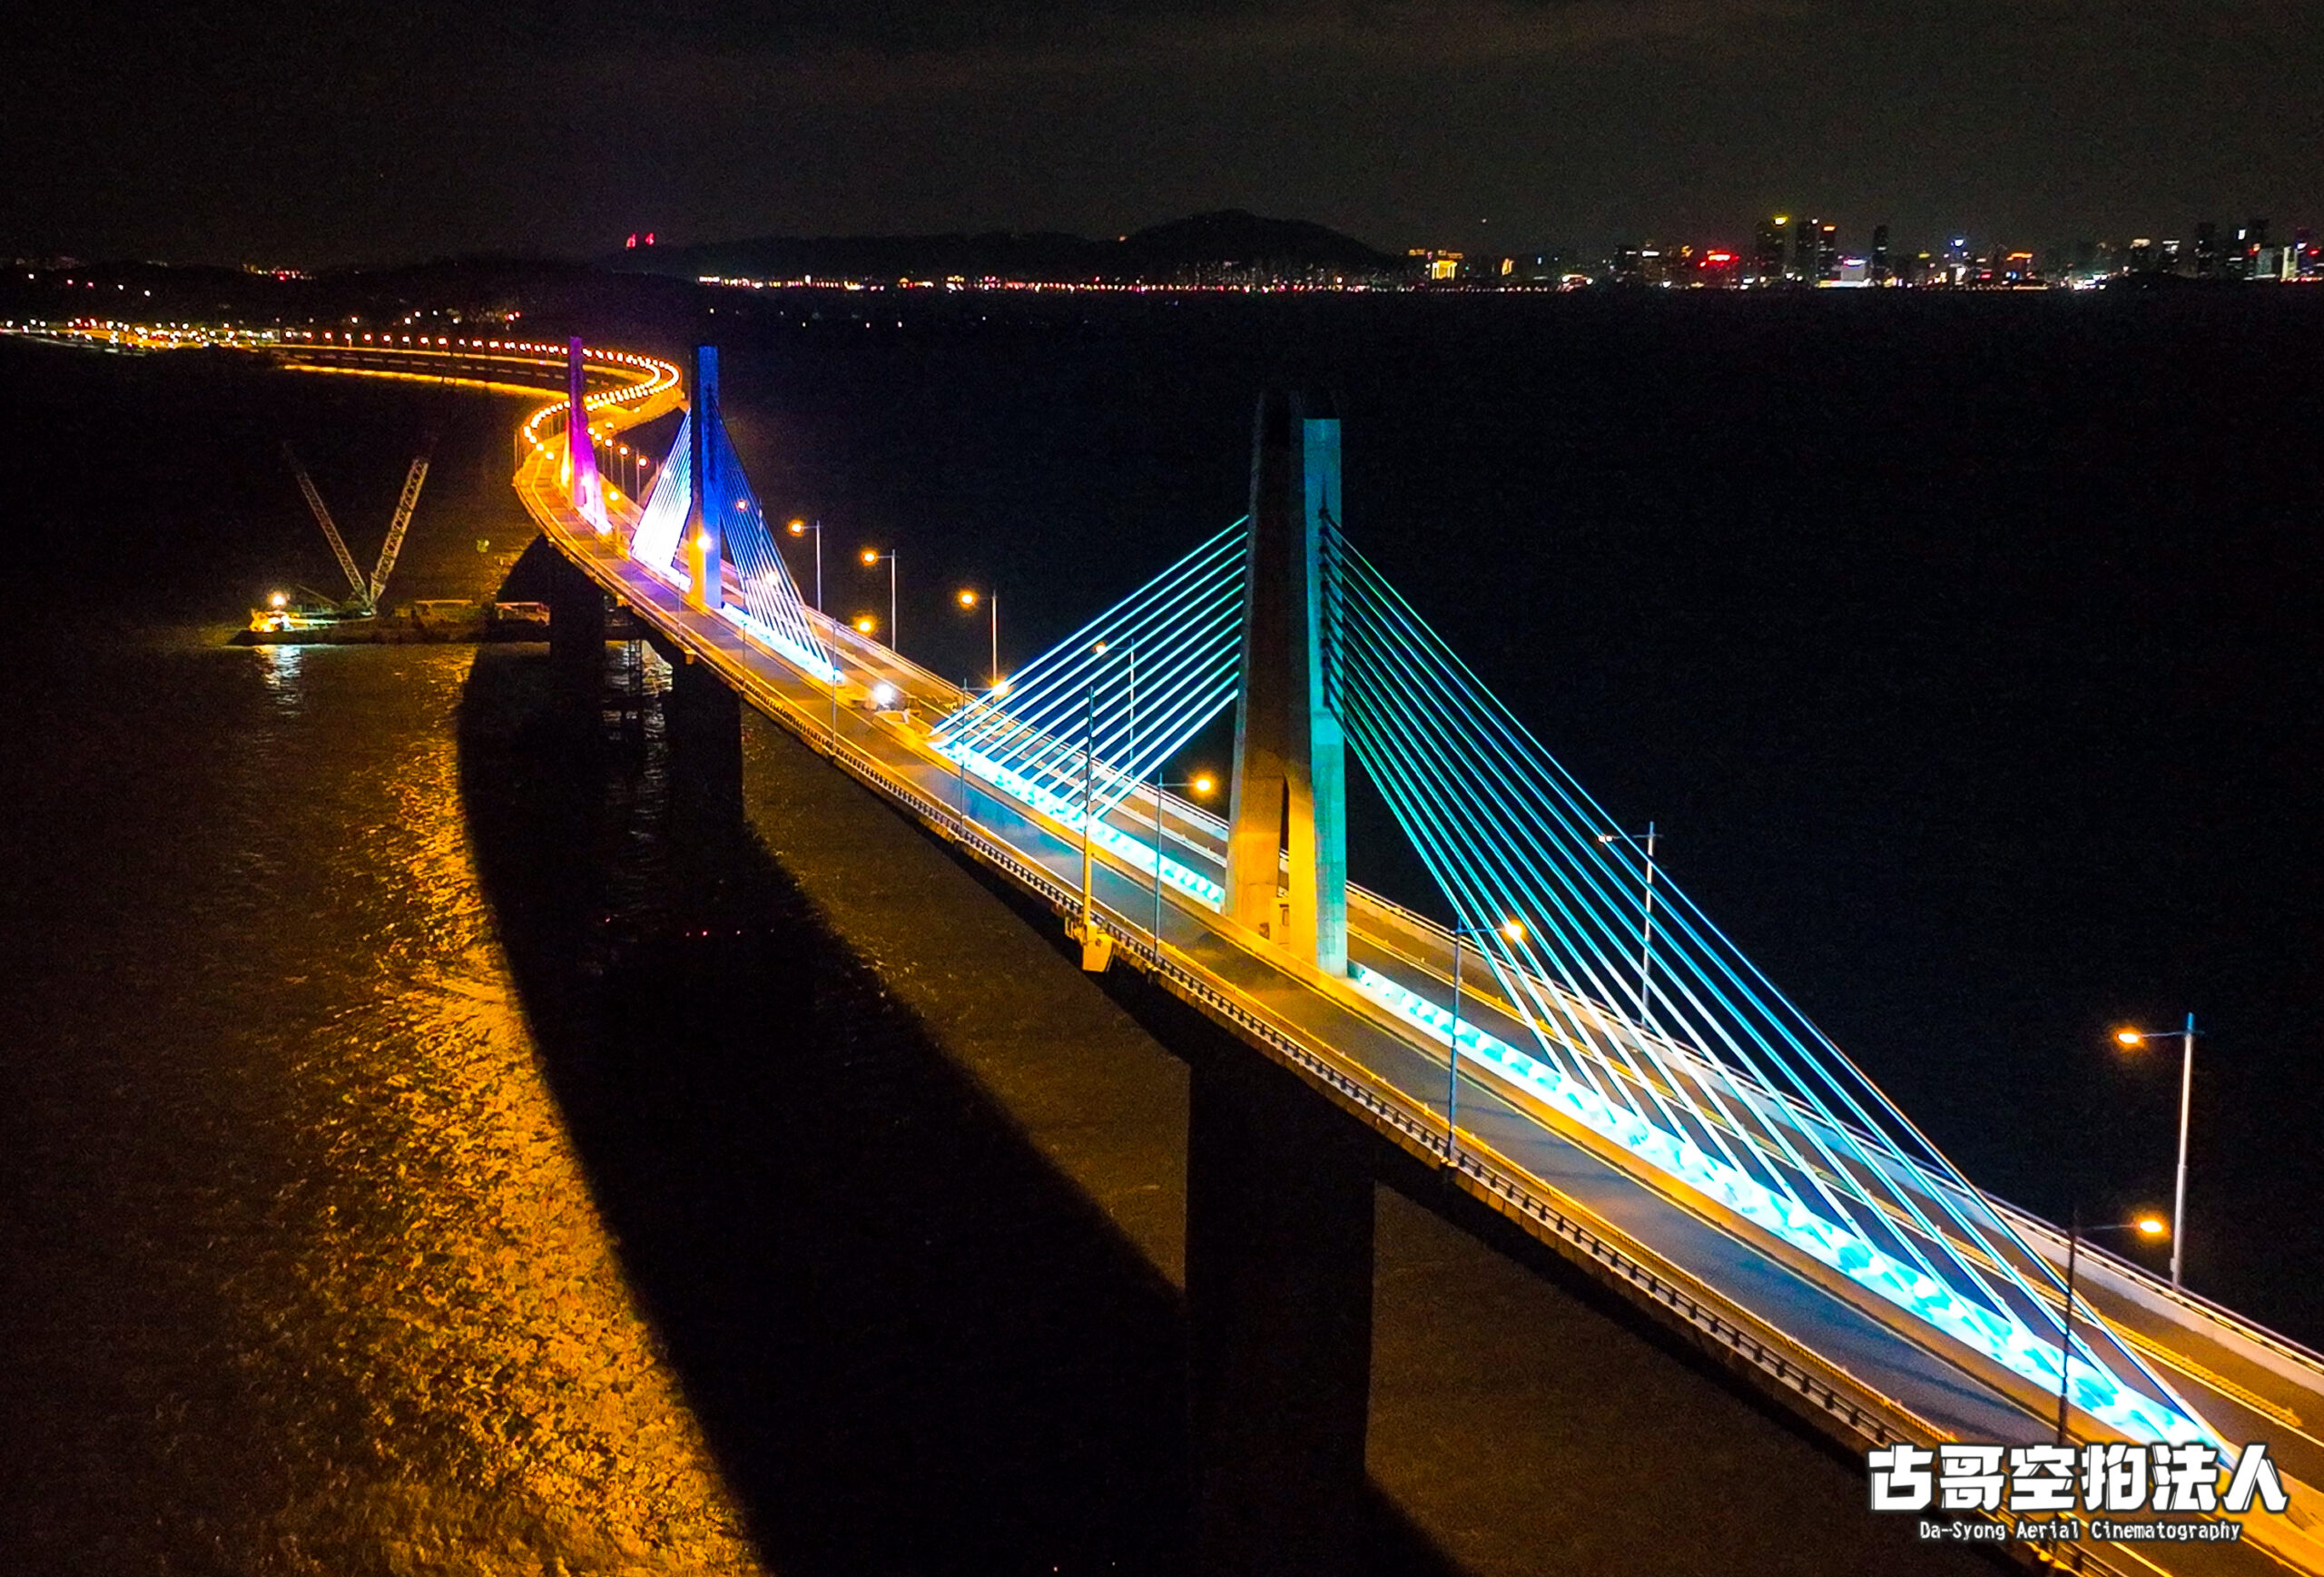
x: 320, y: 1253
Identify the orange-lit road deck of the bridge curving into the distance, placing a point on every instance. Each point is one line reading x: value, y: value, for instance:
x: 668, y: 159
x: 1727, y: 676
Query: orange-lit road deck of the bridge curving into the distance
x: 1835, y: 1351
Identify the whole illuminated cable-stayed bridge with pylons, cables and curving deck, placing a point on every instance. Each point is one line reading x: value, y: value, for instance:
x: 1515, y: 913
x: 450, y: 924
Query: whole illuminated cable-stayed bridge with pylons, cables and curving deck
x: 1584, y: 1051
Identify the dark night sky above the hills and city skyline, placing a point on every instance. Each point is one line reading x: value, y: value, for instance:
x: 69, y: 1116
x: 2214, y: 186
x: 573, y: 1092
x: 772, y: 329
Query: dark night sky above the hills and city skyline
x: 368, y: 131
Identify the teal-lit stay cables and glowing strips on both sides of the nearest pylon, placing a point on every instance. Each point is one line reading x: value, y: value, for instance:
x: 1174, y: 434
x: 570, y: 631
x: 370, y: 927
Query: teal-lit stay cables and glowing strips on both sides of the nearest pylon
x: 1702, y: 1070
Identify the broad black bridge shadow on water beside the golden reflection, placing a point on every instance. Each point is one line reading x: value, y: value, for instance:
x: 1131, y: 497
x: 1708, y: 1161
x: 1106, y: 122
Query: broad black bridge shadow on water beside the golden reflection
x: 912, y: 1344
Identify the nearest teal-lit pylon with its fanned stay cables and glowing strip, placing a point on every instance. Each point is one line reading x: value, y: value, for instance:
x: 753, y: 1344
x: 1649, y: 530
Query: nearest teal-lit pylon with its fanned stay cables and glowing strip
x: 1695, y: 1065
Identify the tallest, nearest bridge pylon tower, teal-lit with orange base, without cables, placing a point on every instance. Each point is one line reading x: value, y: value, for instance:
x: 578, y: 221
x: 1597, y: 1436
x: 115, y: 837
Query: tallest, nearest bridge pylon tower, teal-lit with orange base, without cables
x: 1291, y: 754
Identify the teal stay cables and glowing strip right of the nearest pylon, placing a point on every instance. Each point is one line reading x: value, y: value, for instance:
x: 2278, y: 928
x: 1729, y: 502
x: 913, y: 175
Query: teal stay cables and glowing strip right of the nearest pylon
x: 1733, y: 1090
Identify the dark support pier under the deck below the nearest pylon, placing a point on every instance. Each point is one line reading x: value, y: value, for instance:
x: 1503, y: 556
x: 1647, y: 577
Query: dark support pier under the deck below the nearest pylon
x: 1279, y: 1325
